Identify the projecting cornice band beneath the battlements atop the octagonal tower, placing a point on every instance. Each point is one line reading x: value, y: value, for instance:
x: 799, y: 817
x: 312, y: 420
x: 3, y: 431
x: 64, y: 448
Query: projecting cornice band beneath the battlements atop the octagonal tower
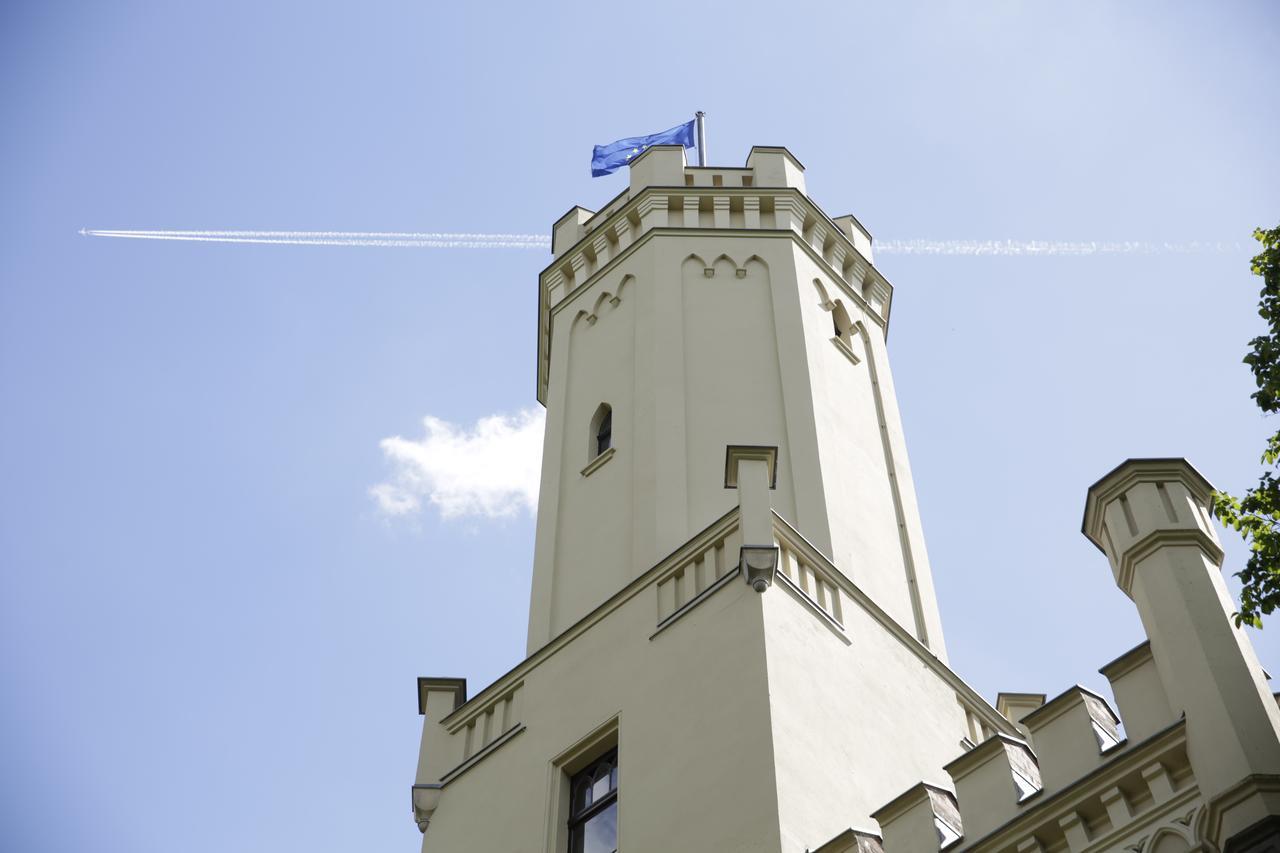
x: 573, y: 258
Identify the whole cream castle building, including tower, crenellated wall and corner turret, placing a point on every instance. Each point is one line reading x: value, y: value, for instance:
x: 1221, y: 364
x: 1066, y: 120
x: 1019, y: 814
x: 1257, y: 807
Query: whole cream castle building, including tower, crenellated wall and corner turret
x: 734, y: 641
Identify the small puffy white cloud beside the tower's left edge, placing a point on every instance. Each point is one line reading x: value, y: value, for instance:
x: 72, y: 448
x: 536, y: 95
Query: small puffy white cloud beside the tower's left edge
x: 490, y: 471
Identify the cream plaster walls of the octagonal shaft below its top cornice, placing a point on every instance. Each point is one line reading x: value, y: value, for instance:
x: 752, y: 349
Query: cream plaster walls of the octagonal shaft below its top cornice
x: 693, y: 362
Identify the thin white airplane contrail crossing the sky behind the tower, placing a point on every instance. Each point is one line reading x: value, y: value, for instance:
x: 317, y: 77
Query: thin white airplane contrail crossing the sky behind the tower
x: 463, y: 240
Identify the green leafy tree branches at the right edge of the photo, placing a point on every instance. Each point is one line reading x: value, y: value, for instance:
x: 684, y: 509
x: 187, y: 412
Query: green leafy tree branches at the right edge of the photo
x: 1256, y: 517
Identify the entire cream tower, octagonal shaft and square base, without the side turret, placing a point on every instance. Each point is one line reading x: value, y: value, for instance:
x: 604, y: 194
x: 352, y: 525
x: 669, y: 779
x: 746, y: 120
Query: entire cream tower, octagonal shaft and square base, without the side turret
x: 734, y: 642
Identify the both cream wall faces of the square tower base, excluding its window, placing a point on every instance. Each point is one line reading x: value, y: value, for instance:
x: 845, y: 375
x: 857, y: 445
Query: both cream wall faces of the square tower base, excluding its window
x: 747, y: 722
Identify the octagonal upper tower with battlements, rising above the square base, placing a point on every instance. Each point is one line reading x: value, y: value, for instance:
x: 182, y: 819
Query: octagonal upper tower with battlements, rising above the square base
x: 706, y: 308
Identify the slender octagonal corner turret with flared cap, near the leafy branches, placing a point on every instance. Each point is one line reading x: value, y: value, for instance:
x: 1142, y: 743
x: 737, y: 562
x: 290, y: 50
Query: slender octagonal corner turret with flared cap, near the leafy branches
x: 1151, y: 517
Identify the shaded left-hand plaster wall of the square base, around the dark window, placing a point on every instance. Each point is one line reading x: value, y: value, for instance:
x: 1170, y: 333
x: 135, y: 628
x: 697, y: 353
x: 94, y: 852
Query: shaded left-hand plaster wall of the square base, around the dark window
x: 694, y: 738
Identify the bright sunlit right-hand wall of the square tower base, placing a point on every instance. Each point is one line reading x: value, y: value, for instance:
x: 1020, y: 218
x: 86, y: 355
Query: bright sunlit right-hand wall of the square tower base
x: 857, y: 719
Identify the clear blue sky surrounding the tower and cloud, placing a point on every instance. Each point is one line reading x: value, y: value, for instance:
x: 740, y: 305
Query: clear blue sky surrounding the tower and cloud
x: 211, y: 632
